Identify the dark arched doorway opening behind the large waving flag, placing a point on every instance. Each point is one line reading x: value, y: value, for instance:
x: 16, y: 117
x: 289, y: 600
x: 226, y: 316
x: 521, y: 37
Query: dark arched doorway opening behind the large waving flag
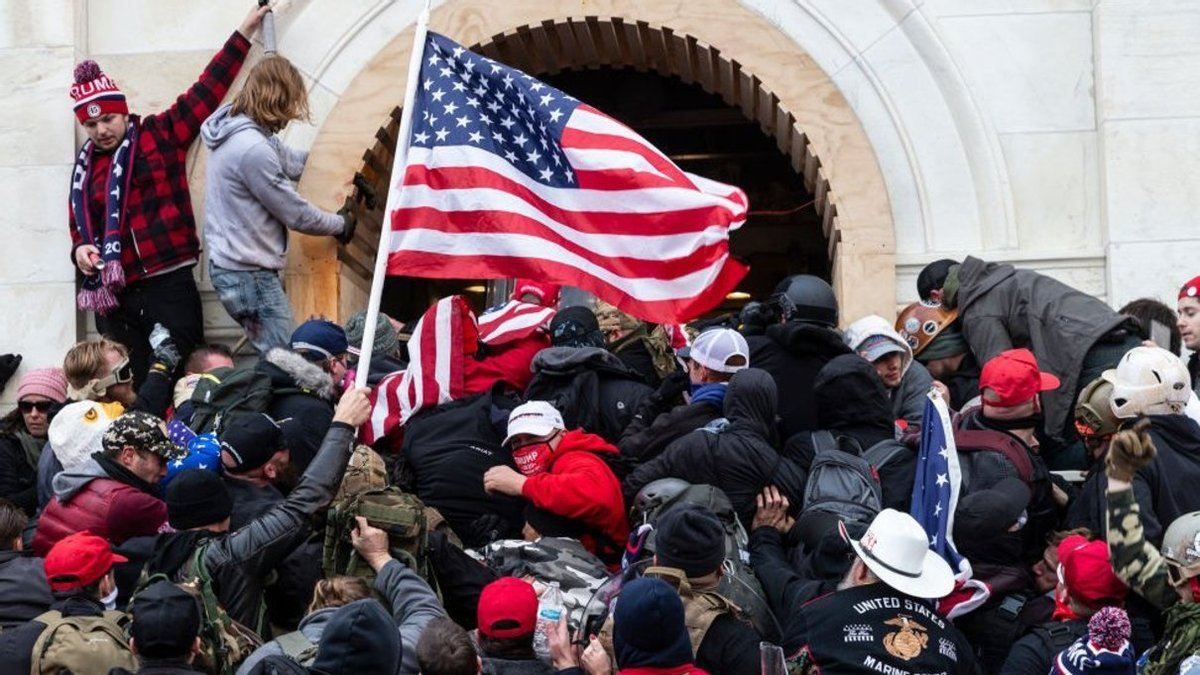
x: 705, y: 136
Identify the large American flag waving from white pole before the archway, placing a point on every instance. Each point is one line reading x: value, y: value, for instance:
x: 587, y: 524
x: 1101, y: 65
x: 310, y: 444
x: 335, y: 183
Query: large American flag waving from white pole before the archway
x: 509, y: 177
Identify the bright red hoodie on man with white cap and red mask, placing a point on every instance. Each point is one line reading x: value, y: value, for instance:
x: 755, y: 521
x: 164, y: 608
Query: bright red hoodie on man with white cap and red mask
x: 580, y: 486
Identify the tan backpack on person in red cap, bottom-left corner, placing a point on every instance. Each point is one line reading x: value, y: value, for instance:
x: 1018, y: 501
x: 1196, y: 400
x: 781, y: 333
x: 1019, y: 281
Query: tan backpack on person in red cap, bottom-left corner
x: 82, y: 646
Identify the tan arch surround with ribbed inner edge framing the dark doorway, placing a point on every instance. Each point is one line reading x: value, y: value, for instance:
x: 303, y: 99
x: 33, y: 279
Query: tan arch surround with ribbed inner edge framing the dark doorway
x: 718, y: 45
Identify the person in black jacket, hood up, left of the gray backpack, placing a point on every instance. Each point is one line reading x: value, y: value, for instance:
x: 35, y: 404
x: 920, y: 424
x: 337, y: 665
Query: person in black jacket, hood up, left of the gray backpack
x: 737, y: 456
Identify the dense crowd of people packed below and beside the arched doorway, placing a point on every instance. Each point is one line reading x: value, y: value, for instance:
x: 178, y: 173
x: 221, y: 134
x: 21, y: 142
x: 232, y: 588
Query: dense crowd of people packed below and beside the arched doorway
x: 571, y: 489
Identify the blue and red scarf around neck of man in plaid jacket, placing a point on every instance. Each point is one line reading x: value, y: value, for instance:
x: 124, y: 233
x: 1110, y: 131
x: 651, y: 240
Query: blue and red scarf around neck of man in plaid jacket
x: 100, y: 290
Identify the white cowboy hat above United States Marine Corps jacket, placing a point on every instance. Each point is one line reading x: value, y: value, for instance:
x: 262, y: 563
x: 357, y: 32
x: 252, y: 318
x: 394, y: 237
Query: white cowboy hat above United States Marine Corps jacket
x: 896, y: 548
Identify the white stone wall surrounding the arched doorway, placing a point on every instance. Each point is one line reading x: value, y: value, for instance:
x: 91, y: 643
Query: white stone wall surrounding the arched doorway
x: 1055, y: 134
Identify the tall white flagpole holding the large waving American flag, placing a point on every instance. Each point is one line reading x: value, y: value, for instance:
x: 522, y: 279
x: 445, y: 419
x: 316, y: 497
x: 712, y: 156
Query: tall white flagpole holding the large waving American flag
x: 398, y: 175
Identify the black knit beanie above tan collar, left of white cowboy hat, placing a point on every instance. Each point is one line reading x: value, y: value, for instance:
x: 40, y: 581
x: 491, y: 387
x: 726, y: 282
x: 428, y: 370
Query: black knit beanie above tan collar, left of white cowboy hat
x: 691, y: 539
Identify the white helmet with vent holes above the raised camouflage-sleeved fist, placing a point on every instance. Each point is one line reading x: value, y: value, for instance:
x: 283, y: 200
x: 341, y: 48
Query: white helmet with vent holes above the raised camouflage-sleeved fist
x: 1149, y: 381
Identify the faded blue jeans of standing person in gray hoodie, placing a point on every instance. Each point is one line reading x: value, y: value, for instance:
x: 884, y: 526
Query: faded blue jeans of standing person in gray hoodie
x: 256, y: 301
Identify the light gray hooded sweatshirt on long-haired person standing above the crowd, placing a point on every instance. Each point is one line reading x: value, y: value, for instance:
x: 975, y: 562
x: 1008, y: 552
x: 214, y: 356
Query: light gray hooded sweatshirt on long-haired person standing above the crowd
x: 250, y: 201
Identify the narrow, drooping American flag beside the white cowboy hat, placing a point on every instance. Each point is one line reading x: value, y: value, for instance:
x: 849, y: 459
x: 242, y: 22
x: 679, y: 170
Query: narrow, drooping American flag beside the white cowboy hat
x: 935, y: 497
